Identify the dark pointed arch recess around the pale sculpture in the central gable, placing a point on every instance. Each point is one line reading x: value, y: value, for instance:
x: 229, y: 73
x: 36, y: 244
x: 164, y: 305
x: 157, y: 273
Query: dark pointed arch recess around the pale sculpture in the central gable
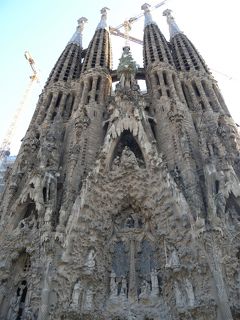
x: 127, y: 140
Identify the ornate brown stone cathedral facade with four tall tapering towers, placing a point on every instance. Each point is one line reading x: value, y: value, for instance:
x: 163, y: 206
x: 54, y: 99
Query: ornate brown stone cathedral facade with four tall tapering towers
x: 124, y: 204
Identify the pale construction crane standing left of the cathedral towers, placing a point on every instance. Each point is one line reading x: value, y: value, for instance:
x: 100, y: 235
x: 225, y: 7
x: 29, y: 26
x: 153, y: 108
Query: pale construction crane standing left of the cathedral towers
x: 5, y: 145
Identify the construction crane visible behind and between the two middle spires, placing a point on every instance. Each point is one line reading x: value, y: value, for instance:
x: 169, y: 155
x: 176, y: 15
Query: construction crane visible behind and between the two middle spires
x: 127, y: 27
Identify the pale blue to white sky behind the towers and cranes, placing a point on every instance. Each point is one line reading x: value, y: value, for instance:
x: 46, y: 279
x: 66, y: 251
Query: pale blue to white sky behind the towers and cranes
x: 44, y: 27
